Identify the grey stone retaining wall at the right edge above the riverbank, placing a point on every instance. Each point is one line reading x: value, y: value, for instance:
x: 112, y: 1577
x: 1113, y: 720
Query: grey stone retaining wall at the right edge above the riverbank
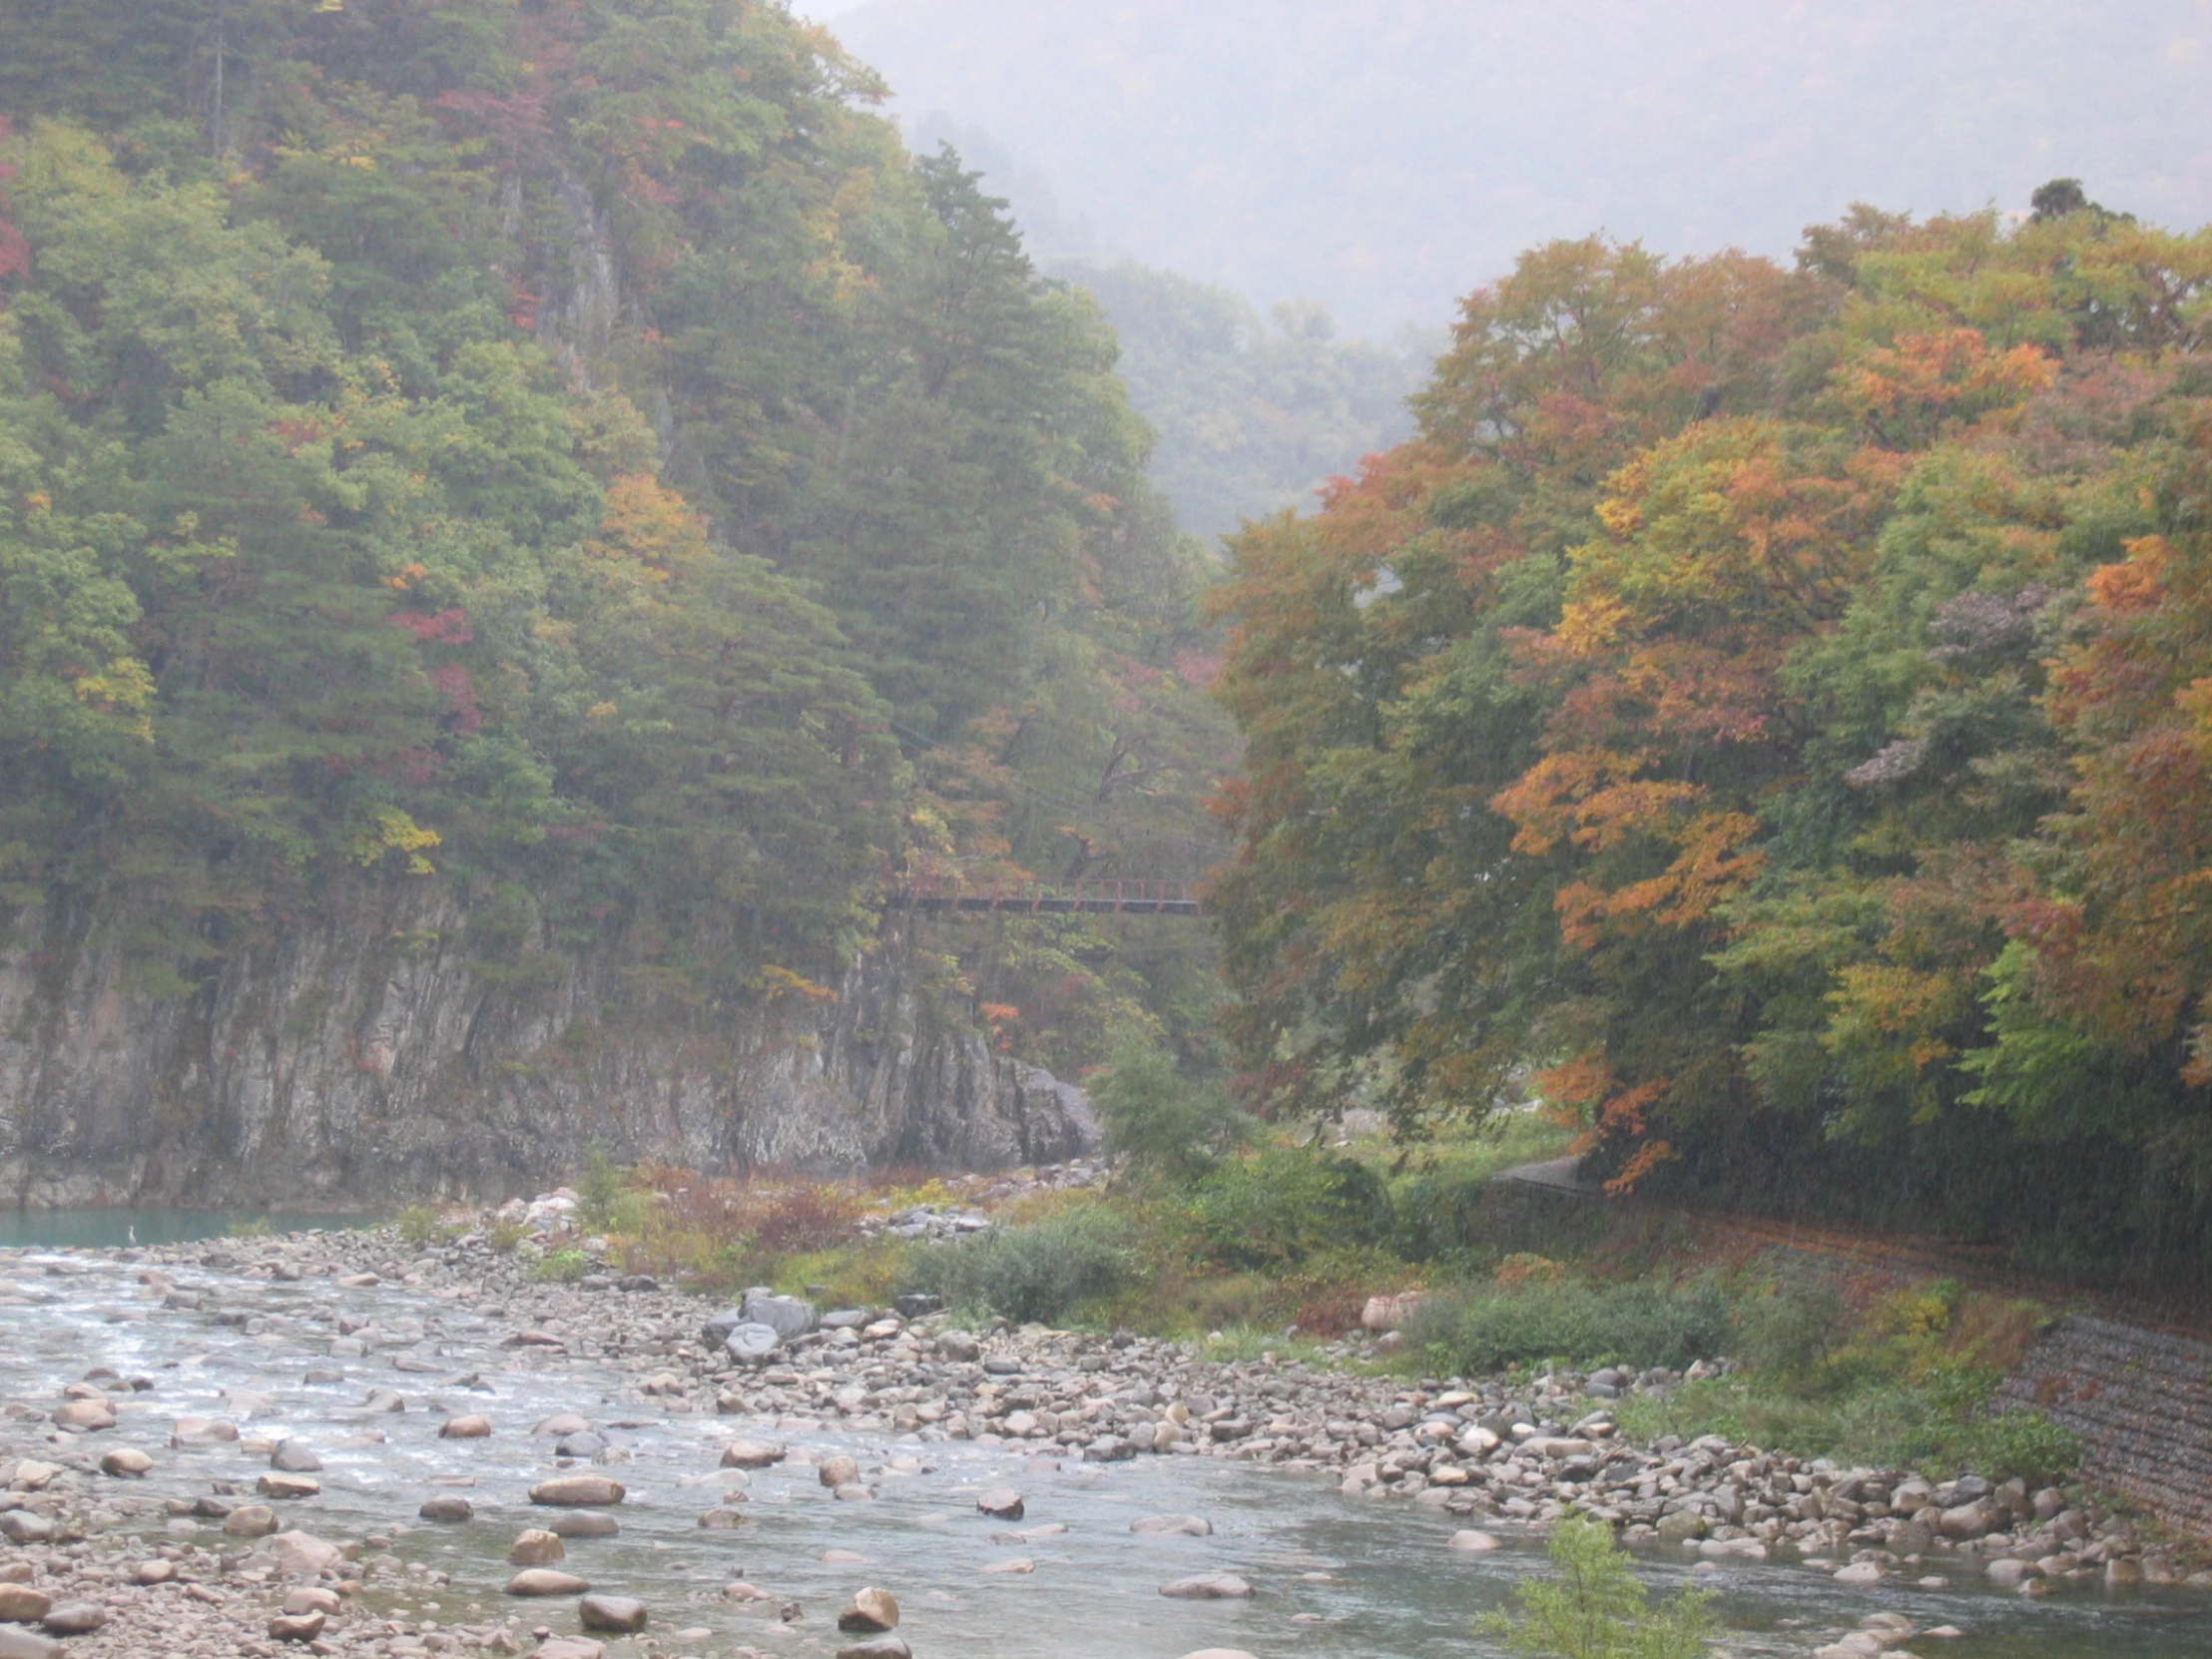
x: 2142, y: 1404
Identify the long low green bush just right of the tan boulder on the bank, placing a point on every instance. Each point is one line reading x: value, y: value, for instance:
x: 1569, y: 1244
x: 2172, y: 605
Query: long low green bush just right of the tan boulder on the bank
x: 1640, y: 1326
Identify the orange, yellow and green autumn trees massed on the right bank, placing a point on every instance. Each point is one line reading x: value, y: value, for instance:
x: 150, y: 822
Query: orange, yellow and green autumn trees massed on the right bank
x: 1775, y: 705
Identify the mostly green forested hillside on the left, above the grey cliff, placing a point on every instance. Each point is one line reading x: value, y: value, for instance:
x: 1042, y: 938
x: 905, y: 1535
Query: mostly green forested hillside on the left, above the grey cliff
x: 565, y: 450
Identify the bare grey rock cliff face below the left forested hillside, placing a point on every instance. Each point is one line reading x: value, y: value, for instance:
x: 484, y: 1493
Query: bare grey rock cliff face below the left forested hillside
x: 366, y: 1058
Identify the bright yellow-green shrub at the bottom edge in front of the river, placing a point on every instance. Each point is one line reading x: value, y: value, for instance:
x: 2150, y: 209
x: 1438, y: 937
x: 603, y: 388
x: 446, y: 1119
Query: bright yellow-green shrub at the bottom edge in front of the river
x: 1596, y: 1609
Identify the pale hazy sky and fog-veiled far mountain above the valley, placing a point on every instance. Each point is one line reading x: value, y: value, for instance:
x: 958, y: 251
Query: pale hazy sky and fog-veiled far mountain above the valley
x: 1386, y: 156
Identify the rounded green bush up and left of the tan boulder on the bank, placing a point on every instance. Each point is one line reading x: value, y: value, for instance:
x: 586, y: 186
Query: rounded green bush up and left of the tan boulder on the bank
x: 1284, y: 1207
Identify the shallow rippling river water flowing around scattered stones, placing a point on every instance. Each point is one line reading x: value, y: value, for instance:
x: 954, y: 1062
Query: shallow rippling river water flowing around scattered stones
x: 1335, y: 1576
